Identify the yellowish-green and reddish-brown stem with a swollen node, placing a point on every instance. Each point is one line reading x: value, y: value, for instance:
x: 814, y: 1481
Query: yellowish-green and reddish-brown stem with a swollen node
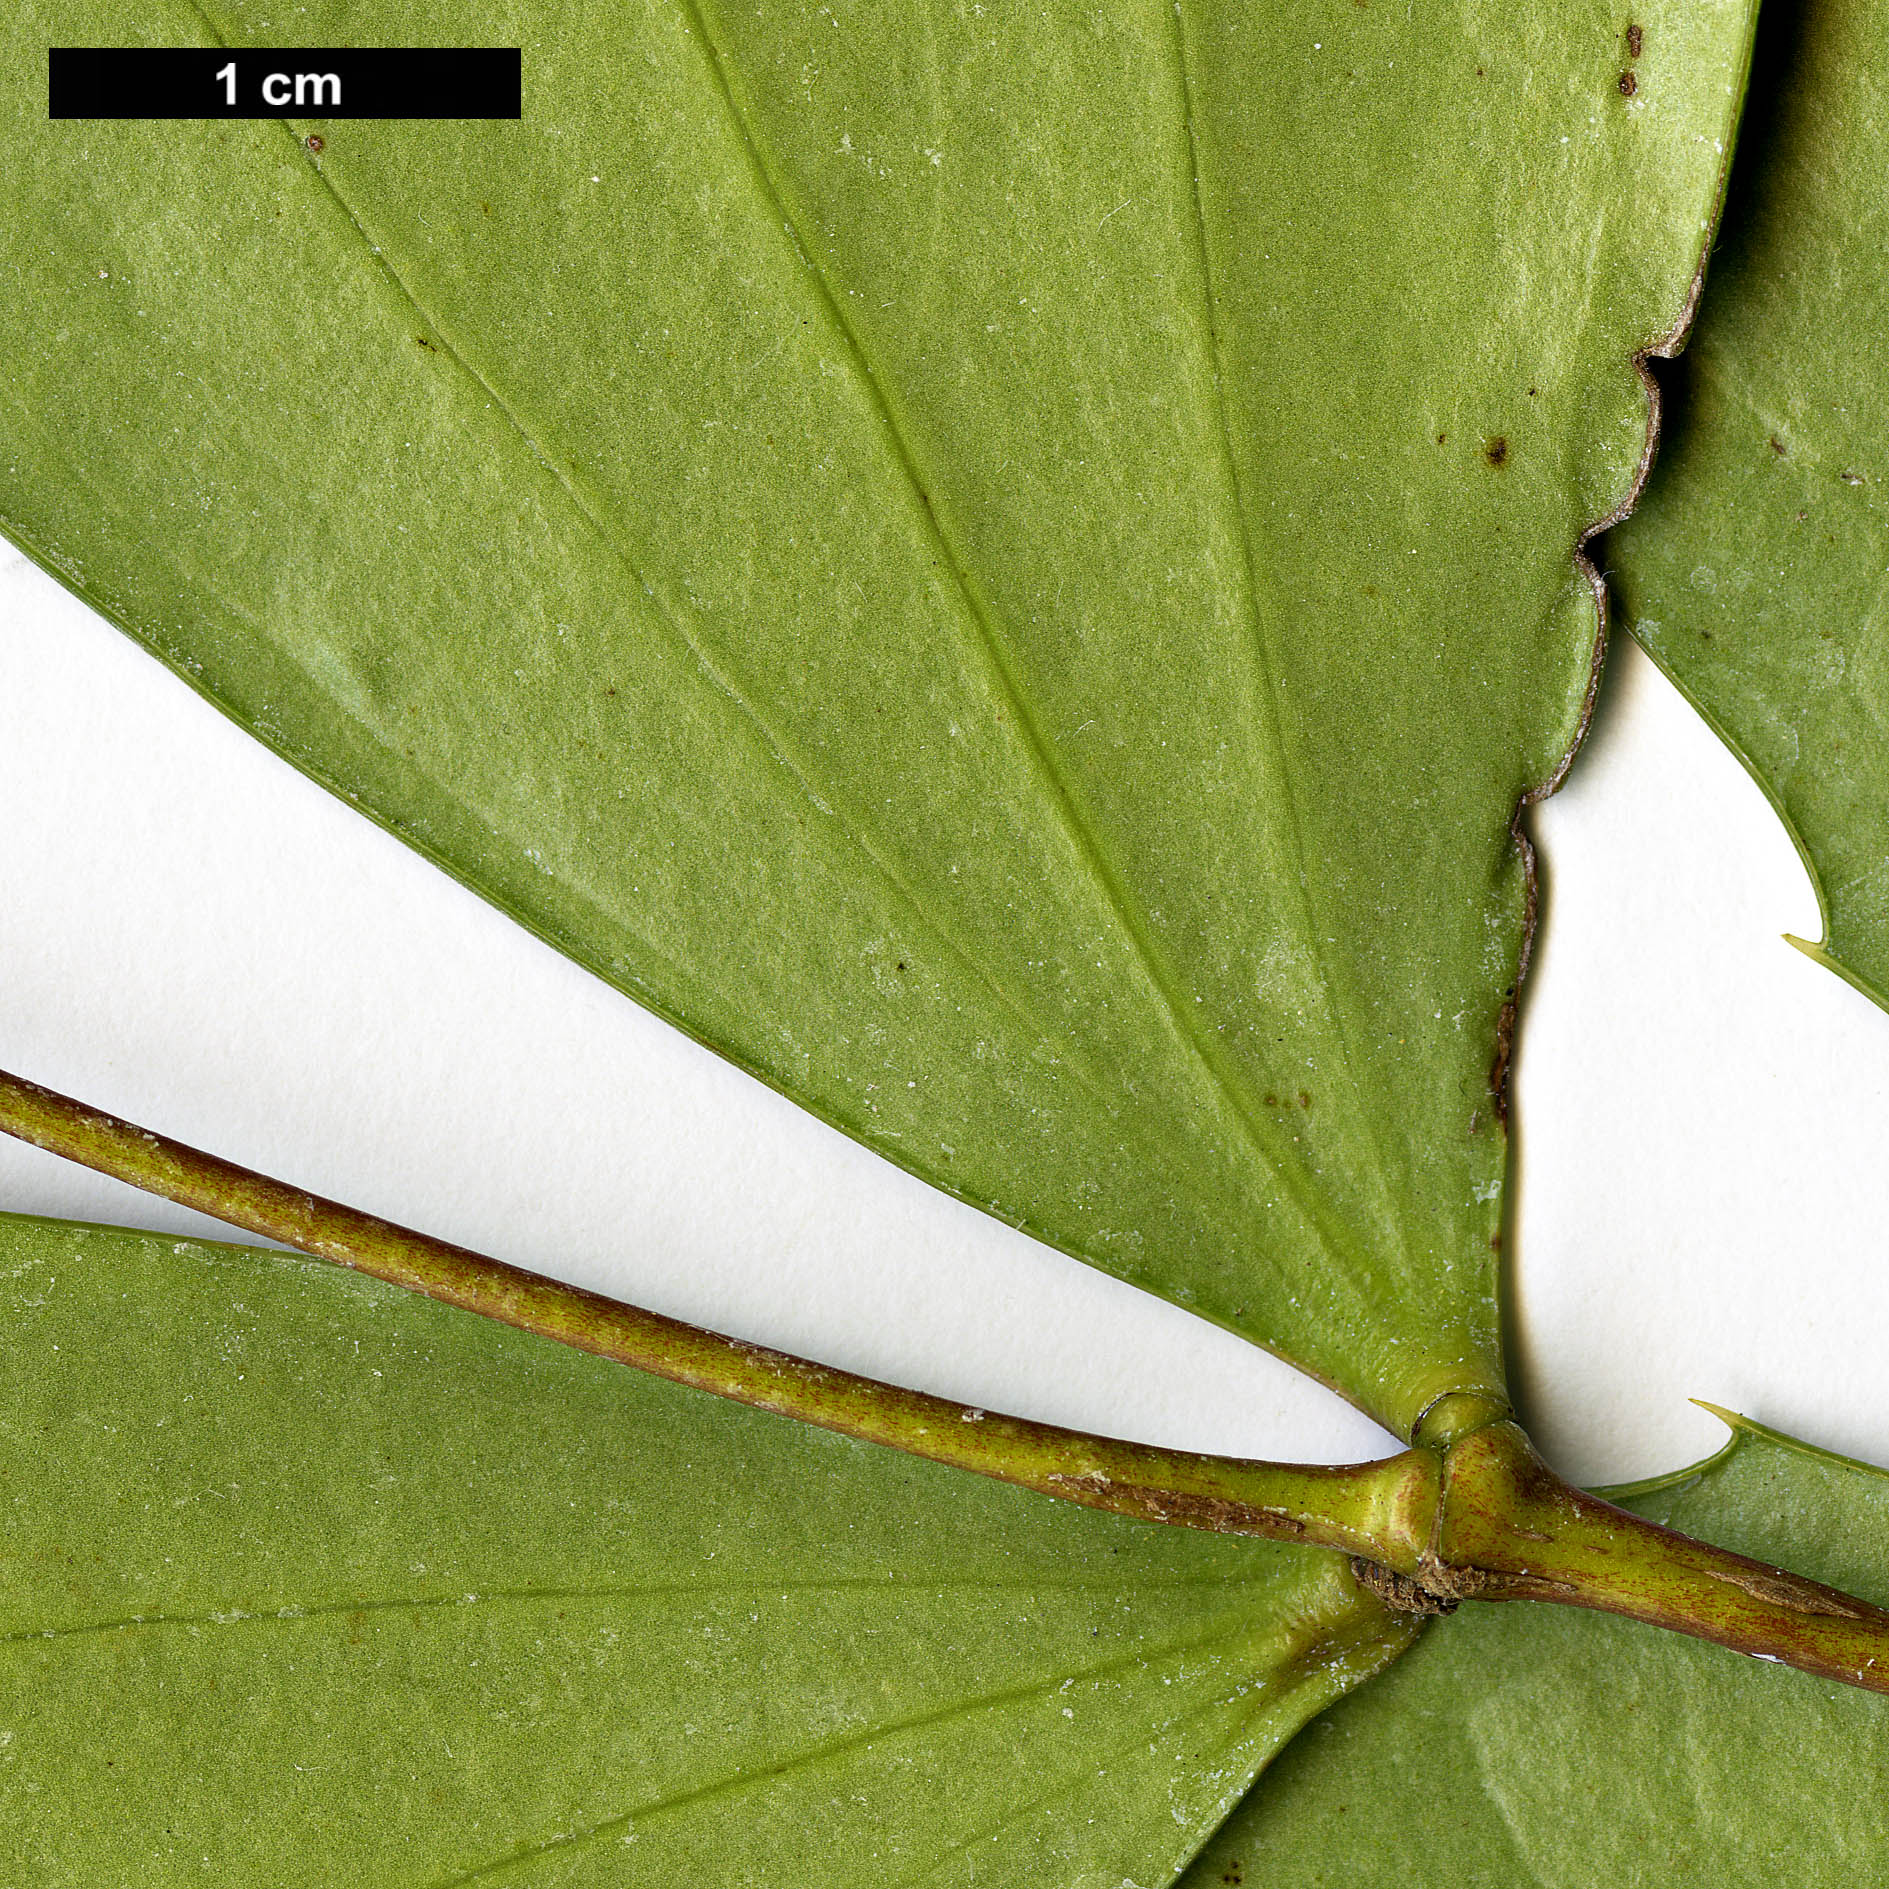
x: 1471, y: 1512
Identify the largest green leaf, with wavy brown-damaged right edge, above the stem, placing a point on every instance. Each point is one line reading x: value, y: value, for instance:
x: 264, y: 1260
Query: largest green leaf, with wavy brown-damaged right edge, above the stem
x: 1004, y: 568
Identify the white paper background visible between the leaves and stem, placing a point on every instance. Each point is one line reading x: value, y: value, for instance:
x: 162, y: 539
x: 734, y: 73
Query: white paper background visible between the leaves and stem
x: 197, y: 938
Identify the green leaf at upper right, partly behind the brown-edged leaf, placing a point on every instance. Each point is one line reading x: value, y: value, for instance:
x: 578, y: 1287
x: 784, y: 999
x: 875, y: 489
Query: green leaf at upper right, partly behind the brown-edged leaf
x: 1754, y: 575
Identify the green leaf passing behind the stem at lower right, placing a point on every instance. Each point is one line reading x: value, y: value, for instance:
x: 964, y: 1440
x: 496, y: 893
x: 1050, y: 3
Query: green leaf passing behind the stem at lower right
x: 1544, y: 1746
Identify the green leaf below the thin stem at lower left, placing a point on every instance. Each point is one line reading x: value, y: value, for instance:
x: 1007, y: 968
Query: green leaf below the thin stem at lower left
x: 307, y: 1580
